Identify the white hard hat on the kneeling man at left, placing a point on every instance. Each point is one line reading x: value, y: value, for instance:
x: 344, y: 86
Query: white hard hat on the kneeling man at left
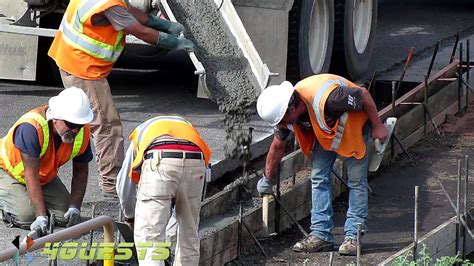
x: 71, y: 105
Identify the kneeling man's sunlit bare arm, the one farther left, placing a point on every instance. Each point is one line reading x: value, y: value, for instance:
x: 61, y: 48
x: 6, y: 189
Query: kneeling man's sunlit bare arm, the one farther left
x: 33, y: 185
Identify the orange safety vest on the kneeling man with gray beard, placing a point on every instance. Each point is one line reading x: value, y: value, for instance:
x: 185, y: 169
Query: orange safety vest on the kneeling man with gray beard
x: 50, y: 158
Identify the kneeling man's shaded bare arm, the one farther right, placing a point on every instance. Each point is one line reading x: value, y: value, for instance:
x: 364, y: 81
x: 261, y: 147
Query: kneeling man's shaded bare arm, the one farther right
x: 80, y: 172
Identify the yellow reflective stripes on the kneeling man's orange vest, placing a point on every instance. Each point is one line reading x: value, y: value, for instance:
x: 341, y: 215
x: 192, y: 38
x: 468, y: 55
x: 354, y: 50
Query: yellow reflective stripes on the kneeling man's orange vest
x: 19, y: 168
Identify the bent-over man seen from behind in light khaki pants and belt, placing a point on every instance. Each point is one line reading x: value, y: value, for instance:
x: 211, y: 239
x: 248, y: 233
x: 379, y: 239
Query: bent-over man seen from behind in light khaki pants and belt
x: 165, y: 162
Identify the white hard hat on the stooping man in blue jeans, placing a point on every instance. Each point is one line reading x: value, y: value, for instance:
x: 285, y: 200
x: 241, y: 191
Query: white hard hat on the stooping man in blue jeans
x: 273, y: 102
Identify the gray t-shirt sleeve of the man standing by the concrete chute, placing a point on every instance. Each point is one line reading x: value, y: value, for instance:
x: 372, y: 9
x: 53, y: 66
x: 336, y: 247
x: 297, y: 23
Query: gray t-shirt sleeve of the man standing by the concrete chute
x: 116, y: 16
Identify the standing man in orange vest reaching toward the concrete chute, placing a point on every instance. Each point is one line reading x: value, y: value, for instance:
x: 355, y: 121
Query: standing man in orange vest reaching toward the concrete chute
x: 89, y: 41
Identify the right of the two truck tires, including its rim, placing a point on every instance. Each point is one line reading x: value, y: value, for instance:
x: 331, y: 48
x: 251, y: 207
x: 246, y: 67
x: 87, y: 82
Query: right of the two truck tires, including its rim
x: 354, y: 36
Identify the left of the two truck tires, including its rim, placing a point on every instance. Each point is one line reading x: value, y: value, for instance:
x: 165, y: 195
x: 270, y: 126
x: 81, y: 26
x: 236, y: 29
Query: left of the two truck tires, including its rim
x: 310, y: 38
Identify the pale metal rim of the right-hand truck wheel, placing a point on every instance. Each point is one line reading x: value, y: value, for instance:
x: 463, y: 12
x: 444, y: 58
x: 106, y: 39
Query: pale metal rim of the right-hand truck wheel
x: 362, y: 23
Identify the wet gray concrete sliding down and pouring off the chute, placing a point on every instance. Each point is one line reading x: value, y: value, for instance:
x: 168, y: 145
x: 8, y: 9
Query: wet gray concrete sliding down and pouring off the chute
x: 228, y: 74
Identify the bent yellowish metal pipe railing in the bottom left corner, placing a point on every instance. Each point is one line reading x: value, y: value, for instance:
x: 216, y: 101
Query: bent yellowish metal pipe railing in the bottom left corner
x: 67, y: 233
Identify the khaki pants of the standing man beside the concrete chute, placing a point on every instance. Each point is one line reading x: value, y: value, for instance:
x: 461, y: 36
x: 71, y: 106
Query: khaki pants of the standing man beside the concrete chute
x: 106, y: 127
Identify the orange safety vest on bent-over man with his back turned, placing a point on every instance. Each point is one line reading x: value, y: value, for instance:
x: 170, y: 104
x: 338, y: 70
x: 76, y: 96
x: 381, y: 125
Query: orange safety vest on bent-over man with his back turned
x: 173, y: 126
